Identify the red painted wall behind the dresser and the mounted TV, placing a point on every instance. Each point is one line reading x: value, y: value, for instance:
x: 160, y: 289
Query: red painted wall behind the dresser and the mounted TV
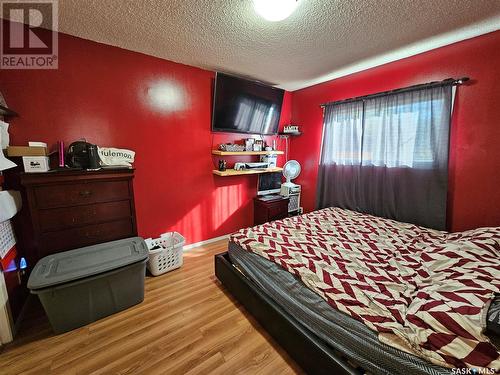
x: 101, y: 93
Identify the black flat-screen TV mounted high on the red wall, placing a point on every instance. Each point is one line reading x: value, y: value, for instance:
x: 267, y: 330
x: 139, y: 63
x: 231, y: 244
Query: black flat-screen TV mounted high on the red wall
x: 243, y: 106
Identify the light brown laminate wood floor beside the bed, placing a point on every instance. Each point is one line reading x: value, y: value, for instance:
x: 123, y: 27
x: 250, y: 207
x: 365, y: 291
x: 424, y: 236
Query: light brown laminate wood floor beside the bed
x: 187, y: 324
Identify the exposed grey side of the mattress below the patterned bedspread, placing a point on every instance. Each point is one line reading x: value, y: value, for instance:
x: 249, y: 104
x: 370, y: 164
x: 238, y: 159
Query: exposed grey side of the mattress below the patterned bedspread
x: 350, y: 337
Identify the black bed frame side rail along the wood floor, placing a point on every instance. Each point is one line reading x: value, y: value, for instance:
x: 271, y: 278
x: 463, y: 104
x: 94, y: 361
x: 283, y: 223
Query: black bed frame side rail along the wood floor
x: 308, y: 350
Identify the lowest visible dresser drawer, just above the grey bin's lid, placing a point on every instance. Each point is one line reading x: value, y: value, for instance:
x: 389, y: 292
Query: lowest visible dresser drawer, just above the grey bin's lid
x: 69, y: 239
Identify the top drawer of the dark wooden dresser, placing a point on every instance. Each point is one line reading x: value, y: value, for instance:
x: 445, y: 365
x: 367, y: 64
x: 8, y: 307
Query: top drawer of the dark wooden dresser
x: 50, y: 196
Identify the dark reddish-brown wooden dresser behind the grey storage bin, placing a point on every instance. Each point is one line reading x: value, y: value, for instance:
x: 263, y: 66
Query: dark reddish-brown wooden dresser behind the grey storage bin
x: 65, y: 210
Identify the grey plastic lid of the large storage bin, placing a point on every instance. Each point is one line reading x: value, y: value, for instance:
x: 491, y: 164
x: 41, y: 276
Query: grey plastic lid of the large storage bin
x: 87, y: 261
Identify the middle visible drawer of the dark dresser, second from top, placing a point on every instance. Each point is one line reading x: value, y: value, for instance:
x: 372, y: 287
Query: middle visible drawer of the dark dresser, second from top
x: 68, y: 217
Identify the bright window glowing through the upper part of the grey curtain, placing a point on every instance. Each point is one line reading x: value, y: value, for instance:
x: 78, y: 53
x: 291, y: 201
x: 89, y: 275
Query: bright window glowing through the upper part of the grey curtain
x: 384, y: 132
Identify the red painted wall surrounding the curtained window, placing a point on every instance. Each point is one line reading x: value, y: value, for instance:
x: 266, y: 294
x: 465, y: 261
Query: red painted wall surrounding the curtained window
x: 474, y: 178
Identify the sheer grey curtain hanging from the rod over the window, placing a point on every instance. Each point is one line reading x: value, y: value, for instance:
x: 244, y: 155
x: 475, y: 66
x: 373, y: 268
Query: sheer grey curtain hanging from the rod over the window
x: 388, y: 156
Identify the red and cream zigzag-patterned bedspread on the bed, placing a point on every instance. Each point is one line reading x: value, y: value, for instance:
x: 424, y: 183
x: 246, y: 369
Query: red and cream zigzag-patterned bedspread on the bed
x: 424, y: 291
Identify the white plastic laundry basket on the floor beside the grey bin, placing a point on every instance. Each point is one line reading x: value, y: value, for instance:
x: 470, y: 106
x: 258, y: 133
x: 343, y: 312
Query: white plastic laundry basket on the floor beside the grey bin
x: 165, y: 253
